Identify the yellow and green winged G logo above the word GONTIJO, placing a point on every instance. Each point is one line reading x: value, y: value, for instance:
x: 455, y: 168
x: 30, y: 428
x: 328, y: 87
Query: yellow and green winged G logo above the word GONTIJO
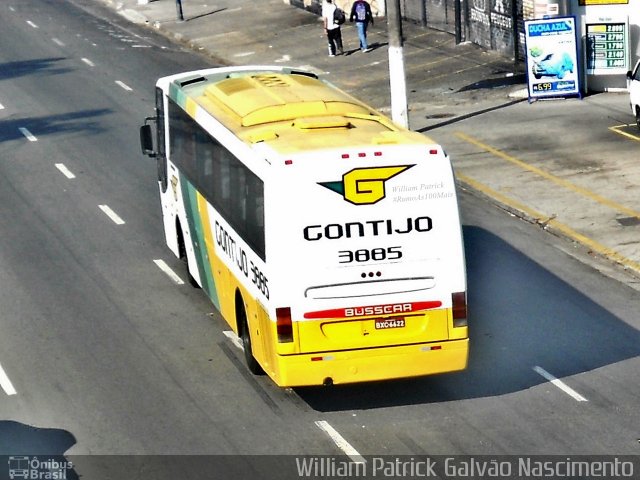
x: 364, y: 186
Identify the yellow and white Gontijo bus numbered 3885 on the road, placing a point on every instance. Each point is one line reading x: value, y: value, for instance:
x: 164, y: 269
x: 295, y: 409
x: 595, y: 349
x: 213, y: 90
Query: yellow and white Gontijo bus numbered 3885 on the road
x: 327, y: 237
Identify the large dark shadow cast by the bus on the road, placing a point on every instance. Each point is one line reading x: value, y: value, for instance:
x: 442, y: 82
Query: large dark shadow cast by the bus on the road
x: 521, y: 316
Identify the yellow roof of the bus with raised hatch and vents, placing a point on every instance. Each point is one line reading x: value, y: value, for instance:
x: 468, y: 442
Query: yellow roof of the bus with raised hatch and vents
x: 291, y: 110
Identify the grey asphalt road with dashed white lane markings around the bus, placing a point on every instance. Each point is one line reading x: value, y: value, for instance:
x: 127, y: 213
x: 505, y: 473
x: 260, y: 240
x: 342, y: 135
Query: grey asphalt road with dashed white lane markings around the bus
x: 107, y: 355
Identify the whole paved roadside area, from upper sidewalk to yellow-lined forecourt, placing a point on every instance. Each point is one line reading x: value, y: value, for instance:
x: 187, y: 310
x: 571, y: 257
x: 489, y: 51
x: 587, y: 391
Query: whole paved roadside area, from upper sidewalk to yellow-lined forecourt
x: 568, y: 165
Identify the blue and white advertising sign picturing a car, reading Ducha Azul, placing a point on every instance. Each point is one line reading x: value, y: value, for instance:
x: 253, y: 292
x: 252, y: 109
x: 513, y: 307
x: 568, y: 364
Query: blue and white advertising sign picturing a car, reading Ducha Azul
x: 552, y: 57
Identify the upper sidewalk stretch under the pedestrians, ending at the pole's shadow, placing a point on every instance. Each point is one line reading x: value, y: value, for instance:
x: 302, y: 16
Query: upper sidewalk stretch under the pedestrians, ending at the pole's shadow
x: 444, y: 79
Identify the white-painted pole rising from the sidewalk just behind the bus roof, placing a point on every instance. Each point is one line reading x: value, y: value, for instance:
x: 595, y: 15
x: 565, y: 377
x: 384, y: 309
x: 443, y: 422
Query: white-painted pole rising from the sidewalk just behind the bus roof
x: 397, y: 78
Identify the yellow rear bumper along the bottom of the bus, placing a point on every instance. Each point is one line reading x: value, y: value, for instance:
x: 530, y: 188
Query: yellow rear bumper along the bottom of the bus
x: 372, y: 364
